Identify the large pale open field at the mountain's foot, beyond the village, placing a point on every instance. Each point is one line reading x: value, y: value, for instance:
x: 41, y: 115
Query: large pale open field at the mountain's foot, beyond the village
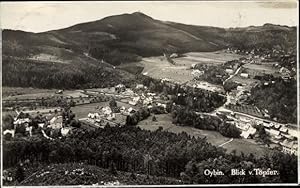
x: 158, y: 67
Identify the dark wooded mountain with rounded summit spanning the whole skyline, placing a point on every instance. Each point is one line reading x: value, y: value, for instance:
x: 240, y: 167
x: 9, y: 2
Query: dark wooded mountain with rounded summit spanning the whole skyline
x: 118, y: 40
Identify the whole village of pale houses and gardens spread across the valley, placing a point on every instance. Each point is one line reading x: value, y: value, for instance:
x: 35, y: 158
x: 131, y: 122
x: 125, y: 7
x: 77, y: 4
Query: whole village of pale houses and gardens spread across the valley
x: 112, y: 106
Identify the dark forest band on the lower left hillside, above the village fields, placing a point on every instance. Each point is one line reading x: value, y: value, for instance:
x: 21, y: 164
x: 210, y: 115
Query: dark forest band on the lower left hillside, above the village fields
x: 25, y: 73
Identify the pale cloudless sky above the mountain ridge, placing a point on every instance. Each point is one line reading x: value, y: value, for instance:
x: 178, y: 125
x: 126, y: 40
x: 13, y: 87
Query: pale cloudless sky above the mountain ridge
x: 45, y: 16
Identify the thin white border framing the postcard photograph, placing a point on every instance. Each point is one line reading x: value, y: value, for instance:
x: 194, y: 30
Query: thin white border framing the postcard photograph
x: 187, y: 185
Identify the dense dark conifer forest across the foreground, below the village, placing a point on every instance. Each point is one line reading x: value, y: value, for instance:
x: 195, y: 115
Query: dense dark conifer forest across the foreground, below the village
x: 156, y: 153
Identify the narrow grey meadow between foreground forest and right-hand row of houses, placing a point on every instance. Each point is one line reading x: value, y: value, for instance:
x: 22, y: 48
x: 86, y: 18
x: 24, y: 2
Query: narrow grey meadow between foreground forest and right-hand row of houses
x: 213, y: 137
